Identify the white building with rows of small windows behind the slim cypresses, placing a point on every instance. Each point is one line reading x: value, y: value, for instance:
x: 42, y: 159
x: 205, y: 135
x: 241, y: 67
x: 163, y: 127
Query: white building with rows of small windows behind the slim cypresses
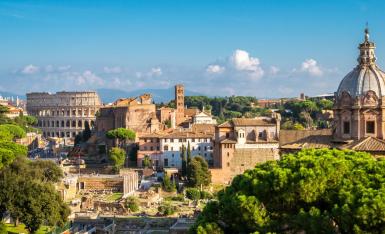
x: 171, y: 147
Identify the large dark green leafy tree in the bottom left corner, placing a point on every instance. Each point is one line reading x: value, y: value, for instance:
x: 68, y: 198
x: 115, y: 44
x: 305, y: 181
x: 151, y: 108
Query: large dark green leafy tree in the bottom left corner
x: 28, y: 194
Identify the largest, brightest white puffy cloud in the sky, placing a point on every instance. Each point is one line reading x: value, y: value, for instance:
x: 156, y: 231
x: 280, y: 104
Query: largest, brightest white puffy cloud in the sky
x: 242, y: 61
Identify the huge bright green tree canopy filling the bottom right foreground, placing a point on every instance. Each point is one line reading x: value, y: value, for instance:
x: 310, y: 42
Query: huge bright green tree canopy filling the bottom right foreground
x: 312, y: 191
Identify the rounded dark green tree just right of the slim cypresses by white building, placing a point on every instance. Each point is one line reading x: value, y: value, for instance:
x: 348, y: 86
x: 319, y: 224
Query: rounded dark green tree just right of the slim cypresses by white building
x: 198, y: 172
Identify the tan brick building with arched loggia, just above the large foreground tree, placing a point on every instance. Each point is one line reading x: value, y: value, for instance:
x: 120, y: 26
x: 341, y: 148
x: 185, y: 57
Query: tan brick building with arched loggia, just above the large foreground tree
x: 242, y: 143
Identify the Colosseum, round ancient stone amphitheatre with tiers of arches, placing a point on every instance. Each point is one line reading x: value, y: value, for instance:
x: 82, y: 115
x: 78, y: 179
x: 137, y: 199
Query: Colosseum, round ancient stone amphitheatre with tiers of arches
x: 63, y: 114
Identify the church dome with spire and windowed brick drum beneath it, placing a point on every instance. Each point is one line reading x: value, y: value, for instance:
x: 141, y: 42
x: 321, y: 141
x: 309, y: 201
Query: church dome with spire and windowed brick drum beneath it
x: 359, y: 109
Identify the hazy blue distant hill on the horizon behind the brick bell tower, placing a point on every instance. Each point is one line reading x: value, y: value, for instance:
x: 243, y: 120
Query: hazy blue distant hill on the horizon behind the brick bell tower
x: 159, y: 95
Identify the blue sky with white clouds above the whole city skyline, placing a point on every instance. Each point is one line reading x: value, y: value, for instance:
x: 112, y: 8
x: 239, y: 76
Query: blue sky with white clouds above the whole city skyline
x: 259, y: 48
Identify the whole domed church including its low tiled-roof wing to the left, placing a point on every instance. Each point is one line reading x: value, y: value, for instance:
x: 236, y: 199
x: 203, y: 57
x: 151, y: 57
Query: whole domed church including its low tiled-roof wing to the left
x: 359, y: 116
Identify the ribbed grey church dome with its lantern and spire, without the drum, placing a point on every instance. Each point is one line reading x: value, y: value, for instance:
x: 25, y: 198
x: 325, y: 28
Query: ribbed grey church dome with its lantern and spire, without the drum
x: 367, y: 76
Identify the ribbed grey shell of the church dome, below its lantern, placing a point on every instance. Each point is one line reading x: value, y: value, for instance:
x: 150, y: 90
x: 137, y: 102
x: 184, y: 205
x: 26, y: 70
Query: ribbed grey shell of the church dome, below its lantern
x: 361, y: 80
